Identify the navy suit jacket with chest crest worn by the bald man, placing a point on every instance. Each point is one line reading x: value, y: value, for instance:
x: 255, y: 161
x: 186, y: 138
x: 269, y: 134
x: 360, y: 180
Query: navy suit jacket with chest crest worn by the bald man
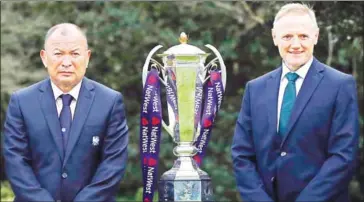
x: 33, y: 151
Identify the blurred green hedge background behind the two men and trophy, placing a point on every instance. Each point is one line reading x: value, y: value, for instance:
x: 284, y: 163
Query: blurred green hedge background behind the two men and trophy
x: 121, y: 34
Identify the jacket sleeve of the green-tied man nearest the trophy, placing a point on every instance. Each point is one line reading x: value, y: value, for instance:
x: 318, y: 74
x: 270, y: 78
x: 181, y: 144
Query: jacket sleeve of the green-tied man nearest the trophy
x: 249, y: 183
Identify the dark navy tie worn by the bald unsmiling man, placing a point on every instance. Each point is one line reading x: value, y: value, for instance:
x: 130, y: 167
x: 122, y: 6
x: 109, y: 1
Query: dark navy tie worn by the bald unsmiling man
x: 65, y: 118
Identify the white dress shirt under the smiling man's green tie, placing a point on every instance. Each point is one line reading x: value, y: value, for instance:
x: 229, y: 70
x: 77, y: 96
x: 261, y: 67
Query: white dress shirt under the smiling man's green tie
x: 302, y: 72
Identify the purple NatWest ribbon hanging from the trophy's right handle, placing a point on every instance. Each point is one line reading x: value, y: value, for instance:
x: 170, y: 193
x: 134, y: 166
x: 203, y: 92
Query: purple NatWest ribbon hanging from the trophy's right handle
x: 213, y: 97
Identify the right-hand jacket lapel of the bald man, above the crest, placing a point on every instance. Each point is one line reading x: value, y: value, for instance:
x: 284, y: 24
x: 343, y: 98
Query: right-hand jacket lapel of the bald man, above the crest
x: 83, y: 107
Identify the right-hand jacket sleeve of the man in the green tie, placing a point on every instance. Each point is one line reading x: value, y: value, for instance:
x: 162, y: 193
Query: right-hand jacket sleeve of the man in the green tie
x: 336, y: 172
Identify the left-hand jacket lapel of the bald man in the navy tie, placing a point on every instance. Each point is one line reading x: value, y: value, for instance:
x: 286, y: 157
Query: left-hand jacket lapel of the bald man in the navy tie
x: 49, y: 109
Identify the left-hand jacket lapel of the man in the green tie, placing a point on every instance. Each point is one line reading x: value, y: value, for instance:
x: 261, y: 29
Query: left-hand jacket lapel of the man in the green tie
x: 272, y: 89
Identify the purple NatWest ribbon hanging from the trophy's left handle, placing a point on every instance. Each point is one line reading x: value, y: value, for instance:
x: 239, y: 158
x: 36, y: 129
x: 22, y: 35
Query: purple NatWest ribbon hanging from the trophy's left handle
x: 150, y: 133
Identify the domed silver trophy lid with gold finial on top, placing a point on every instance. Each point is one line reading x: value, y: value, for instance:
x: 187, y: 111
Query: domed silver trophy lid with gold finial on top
x: 183, y: 48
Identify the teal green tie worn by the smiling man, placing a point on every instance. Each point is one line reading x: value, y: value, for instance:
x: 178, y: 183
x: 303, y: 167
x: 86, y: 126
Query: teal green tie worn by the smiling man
x: 288, y: 101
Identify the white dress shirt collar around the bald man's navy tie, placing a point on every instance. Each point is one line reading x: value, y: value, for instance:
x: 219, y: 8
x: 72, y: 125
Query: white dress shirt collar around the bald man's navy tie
x: 74, y: 92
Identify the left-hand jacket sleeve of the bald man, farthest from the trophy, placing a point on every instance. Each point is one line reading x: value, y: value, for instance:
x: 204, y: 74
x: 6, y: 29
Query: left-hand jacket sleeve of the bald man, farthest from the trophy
x: 17, y: 157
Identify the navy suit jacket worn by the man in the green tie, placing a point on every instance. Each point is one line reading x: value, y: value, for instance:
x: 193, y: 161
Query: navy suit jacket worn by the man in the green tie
x: 314, y: 161
